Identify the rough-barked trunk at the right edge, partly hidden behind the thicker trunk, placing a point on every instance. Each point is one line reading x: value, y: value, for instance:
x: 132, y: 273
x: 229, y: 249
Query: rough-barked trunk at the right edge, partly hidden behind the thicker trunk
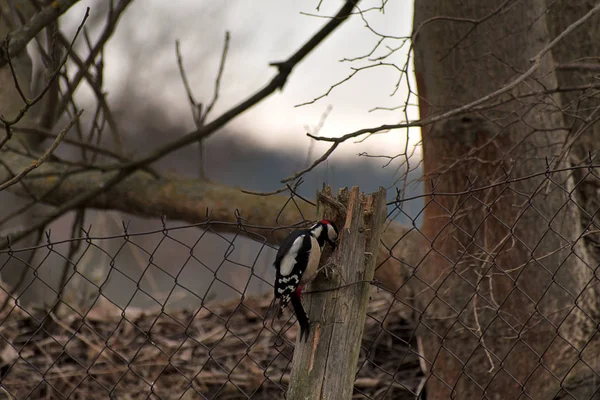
x: 580, y: 110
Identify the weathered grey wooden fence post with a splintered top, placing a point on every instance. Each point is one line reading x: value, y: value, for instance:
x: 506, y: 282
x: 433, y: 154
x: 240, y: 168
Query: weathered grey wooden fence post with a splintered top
x: 325, y: 366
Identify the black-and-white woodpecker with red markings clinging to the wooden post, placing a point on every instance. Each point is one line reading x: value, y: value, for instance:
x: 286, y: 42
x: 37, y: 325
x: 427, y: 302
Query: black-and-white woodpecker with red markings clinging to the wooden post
x: 297, y: 263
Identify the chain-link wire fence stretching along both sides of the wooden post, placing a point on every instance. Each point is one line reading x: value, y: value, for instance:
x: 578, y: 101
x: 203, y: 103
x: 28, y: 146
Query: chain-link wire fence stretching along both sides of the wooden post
x: 183, y: 312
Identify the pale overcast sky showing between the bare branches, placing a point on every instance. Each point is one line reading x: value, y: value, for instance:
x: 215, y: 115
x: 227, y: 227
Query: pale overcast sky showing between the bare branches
x: 142, y: 55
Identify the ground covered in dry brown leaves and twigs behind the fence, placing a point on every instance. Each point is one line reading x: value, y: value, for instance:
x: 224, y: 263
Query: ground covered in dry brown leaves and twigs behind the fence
x: 223, y: 351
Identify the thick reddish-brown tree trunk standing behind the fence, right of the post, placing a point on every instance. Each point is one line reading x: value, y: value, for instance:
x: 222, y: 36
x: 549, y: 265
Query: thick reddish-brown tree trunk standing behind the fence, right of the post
x: 503, y: 314
